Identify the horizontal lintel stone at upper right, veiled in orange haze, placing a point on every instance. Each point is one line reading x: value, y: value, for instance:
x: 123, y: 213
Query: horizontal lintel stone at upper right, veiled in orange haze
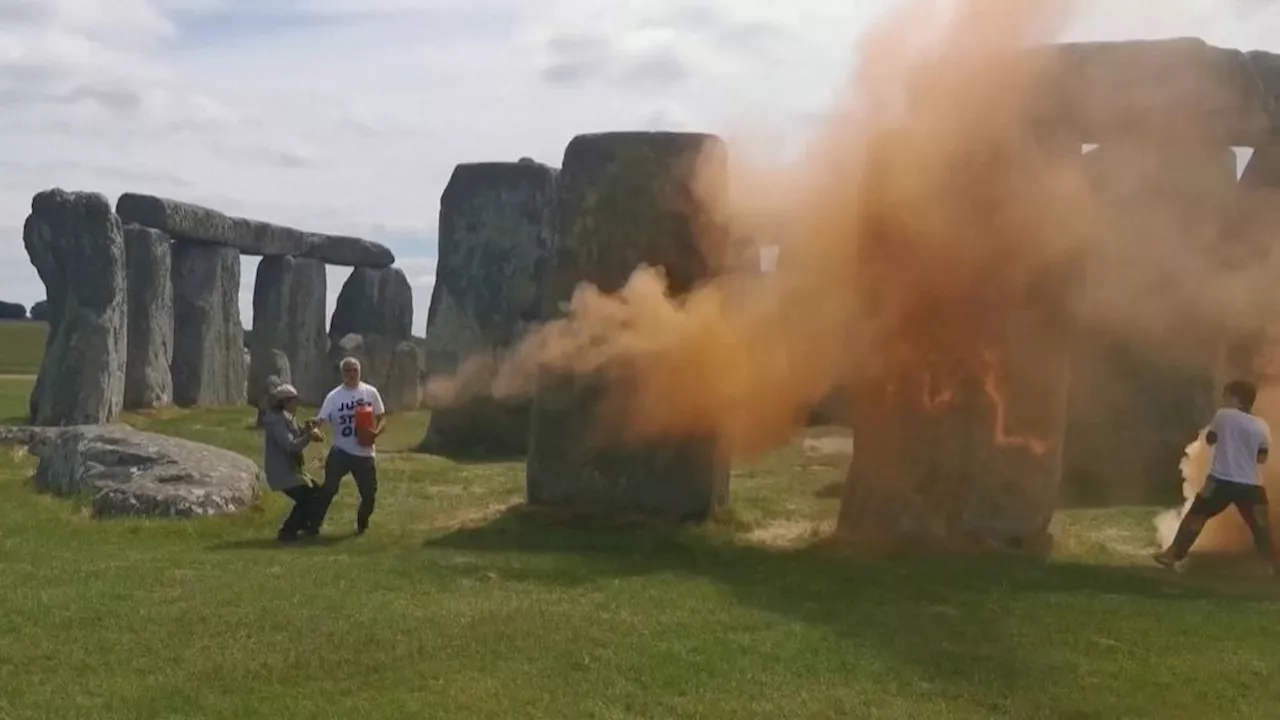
x: 1176, y: 89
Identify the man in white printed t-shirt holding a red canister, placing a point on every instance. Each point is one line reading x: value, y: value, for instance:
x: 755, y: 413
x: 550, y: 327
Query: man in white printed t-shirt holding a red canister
x: 348, y: 454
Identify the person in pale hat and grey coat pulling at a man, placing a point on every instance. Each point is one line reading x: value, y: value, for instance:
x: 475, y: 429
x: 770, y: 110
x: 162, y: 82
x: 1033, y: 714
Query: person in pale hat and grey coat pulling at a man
x: 282, y: 462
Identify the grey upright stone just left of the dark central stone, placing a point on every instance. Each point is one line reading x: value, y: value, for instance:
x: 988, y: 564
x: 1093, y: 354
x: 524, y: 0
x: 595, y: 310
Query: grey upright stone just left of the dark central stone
x: 497, y: 235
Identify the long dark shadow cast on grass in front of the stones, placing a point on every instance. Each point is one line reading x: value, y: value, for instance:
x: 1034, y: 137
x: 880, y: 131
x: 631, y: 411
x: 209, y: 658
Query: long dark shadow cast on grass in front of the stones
x: 956, y: 622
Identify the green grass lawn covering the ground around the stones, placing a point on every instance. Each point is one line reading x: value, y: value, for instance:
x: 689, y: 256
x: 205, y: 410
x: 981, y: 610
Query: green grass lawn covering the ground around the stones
x: 459, y: 605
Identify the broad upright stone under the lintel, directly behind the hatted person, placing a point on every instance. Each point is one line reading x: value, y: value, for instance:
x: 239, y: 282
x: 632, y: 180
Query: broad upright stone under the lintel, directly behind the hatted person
x: 290, y: 316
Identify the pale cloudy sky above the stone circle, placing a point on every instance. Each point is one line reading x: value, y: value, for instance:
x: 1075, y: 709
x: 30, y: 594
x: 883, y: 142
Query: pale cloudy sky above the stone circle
x: 349, y: 116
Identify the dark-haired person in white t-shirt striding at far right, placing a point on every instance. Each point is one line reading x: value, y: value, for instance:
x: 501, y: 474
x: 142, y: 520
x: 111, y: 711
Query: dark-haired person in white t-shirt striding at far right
x: 1241, y: 443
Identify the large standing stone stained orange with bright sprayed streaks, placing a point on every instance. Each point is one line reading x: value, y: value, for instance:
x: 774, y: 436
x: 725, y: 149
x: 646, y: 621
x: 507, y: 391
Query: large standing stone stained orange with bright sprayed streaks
x: 959, y: 420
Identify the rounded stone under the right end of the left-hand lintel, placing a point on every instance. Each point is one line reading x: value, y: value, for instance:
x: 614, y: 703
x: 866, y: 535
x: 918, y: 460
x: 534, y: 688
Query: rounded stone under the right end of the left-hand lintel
x: 374, y: 303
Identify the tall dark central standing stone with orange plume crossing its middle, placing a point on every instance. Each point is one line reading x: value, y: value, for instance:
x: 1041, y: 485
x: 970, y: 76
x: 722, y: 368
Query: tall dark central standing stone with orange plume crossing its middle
x: 625, y: 200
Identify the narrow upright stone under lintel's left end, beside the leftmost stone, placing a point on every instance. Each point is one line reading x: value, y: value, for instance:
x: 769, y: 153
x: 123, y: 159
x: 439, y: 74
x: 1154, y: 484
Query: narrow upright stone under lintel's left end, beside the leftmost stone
x: 148, y: 380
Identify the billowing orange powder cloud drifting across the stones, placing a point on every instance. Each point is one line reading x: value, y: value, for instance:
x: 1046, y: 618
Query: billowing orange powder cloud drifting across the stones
x: 934, y: 198
